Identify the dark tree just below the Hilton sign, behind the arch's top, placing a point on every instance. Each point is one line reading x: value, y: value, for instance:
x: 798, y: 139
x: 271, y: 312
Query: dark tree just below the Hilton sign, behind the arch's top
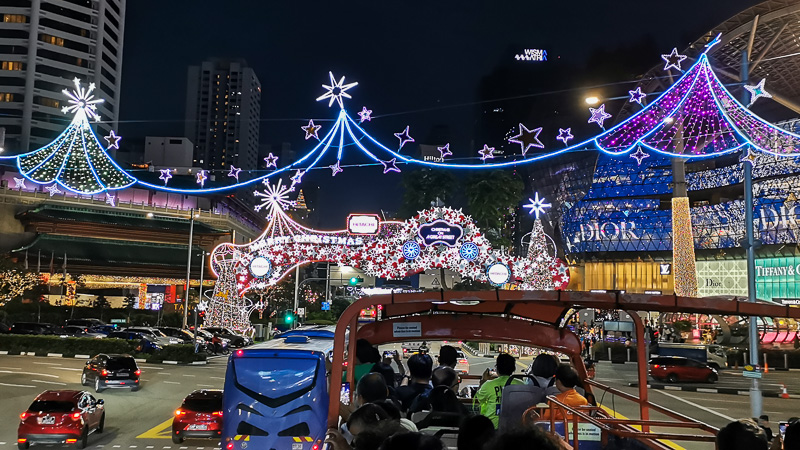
x: 422, y: 187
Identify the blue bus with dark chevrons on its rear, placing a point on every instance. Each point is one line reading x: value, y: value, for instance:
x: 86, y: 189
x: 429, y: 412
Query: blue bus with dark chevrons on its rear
x: 276, y: 392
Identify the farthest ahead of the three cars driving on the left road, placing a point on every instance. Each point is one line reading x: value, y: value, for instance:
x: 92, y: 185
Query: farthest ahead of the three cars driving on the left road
x: 111, y: 371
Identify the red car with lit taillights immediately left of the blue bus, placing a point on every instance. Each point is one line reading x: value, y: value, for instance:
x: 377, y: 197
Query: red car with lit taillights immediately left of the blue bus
x: 200, y: 416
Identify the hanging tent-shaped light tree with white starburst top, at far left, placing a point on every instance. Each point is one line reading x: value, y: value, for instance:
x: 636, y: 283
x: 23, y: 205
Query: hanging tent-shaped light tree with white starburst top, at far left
x: 75, y: 159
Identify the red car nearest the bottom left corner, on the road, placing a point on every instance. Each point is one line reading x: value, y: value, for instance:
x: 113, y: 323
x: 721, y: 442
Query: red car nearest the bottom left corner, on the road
x: 61, y: 417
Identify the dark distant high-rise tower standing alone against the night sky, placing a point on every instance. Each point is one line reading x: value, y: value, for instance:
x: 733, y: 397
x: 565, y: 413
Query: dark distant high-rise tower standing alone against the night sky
x: 223, y: 110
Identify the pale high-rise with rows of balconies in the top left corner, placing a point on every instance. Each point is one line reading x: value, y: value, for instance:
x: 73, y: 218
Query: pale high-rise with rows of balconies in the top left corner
x: 44, y: 45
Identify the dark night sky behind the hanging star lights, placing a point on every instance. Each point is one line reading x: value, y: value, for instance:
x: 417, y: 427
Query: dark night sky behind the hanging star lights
x: 418, y: 63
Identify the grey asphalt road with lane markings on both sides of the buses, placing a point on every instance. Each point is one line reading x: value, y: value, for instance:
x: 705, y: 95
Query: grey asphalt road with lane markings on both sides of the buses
x: 141, y: 420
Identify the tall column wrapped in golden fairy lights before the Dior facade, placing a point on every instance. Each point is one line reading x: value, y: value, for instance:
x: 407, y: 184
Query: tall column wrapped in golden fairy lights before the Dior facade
x: 683, y: 262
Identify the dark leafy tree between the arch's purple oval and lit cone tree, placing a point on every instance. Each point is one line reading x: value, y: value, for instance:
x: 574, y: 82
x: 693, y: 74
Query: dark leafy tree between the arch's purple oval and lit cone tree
x: 492, y: 198
